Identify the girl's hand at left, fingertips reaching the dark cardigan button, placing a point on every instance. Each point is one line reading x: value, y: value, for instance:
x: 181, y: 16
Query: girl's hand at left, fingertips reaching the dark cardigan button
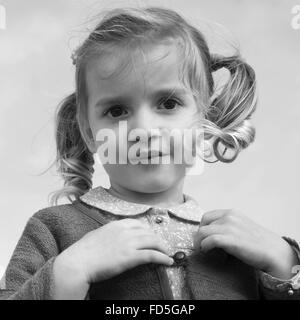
x: 114, y: 248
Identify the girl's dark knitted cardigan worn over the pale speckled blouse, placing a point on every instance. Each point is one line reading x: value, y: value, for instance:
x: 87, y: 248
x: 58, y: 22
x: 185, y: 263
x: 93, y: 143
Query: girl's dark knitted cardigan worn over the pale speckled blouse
x: 29, y: 274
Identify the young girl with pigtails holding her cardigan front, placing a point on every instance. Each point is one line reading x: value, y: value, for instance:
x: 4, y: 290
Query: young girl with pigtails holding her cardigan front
x: 143, y: 238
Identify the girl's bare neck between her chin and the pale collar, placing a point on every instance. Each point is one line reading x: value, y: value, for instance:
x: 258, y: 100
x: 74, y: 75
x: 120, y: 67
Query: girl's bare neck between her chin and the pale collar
x: 170, y: 197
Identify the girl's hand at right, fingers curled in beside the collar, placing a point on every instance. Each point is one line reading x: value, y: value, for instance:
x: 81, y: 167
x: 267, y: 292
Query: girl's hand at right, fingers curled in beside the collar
x: 247, y: 241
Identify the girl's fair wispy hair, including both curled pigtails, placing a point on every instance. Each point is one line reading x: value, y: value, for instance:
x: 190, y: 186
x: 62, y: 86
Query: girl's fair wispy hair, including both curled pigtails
x: 226, y: 115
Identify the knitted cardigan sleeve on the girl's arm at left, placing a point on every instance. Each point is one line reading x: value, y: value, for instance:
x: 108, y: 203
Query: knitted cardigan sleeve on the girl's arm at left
x: 29, y: 273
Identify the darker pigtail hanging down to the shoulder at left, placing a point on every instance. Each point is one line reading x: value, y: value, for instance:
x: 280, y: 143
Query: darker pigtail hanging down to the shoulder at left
x: 74, y: 160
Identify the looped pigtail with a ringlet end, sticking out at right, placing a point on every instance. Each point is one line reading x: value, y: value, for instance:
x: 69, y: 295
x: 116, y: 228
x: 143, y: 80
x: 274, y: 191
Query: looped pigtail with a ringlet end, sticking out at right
x: 231, y: 110
